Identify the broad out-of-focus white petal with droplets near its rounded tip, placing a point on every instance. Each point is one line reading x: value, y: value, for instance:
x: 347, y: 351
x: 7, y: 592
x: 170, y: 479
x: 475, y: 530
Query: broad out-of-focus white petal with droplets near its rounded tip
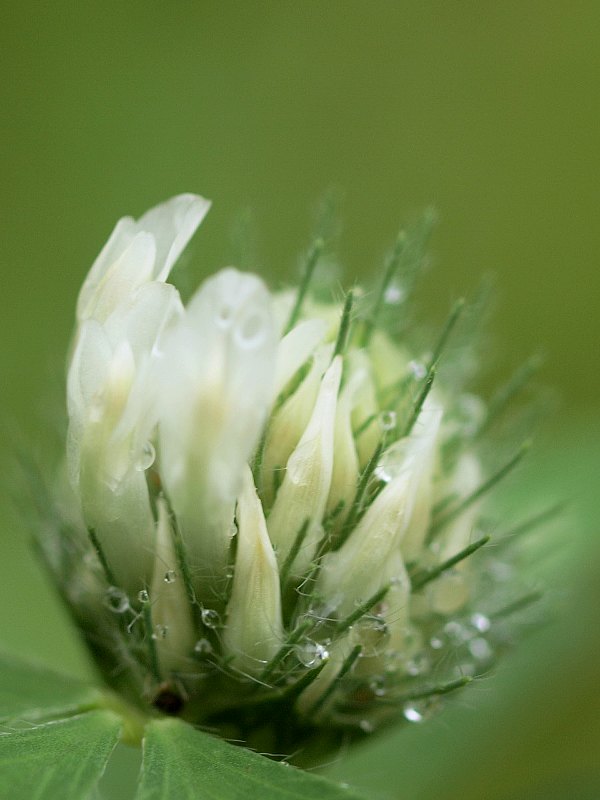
x: 215, y: 388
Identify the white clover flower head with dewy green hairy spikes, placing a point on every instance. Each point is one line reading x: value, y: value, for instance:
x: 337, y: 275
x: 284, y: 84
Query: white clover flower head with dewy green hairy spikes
x: 272, y: 504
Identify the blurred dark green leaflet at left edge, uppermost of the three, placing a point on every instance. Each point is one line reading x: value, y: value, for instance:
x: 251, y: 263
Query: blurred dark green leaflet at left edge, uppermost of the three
x: 35, y: 693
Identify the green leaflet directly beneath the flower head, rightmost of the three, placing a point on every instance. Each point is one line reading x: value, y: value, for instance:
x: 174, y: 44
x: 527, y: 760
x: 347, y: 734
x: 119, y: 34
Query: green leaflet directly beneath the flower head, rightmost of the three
x: 182, y: 762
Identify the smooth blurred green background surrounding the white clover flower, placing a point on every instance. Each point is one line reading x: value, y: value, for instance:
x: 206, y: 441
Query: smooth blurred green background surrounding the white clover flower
x: 488, y: 111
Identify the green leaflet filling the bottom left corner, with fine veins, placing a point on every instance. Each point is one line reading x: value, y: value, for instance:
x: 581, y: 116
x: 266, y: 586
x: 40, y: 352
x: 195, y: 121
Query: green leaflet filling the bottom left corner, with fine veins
x: 63, y: 759
